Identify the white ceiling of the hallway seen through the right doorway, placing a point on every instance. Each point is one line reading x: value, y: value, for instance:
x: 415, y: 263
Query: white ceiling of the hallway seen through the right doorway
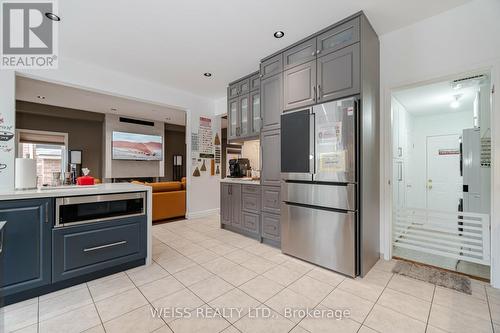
x: 436, y: 98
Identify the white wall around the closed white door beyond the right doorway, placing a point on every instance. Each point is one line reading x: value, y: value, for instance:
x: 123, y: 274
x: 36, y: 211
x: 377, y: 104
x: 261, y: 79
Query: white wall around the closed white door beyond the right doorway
x: 421, y: 128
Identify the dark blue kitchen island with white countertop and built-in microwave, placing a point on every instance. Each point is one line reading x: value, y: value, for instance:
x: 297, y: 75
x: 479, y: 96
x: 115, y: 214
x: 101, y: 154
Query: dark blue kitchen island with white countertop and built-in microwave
x: 55, y: 238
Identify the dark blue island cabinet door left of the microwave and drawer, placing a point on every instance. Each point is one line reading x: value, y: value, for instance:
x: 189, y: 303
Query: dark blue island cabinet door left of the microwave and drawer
x: 25, y: 245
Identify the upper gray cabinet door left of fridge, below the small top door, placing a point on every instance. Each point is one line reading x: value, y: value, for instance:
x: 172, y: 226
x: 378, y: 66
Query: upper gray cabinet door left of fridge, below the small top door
x: 271, y: 98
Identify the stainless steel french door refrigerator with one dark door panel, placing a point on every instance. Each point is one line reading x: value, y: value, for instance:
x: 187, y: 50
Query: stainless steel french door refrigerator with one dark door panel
x: 320, y: 185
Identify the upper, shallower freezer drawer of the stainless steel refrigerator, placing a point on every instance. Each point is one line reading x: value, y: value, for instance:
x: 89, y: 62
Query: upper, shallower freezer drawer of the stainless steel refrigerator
x: 324, y: 195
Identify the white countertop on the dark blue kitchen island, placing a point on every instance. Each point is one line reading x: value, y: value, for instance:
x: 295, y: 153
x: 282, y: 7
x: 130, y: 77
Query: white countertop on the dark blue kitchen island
x: 73, y: 191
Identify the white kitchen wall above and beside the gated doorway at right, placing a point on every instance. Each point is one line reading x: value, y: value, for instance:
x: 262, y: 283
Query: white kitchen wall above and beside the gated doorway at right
x: 461, y: 40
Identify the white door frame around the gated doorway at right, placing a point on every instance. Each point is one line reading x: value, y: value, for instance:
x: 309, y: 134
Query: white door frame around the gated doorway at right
x: 386, y: 128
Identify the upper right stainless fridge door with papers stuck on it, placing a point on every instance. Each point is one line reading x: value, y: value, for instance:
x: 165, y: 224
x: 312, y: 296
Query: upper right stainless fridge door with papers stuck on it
x: 335, y: 141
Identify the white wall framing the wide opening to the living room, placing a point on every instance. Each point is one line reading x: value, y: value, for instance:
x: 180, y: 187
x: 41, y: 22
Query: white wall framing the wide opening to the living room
x: 202, y: 192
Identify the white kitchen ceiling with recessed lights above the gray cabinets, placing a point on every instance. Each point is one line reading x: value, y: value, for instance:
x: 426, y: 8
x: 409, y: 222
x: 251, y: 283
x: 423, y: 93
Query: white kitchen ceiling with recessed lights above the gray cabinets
x: 175, y: 42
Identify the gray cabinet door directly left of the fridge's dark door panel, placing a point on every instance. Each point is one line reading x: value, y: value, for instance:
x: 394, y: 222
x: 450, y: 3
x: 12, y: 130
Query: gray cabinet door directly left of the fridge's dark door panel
x: 270, y: 148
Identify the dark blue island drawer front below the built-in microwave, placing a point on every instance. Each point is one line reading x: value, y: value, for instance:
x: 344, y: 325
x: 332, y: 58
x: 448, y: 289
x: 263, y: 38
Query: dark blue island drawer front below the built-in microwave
x: 90, y: 248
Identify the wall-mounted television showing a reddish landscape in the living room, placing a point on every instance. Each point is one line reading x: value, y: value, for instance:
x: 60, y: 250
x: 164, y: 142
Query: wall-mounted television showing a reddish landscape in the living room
x: 137, y: 147
